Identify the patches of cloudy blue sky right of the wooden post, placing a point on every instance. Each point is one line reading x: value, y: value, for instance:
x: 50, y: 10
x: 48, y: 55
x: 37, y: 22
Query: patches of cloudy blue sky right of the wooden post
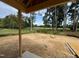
x: 39, y: 16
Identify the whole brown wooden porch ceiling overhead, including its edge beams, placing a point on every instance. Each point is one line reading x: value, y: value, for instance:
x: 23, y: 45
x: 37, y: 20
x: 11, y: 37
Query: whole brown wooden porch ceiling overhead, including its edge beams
x: 33, y: 5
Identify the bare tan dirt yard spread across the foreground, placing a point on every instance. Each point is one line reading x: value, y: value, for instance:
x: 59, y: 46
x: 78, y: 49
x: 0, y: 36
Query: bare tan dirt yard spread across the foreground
x: 44, y: 45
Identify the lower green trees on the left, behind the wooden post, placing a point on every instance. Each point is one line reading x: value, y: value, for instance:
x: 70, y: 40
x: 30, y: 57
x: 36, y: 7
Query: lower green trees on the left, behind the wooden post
x: 11, y: 21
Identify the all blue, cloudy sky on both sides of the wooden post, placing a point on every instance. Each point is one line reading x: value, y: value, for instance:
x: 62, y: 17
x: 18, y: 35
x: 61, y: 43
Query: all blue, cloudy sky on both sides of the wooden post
x: 7, y: 10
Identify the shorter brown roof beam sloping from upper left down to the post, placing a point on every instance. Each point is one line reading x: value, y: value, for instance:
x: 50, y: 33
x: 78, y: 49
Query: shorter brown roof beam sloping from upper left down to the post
x: 16, y: 4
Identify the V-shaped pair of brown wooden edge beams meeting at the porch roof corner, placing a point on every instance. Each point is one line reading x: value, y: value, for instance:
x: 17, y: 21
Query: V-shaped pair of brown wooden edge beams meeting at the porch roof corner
x: 21, y: 6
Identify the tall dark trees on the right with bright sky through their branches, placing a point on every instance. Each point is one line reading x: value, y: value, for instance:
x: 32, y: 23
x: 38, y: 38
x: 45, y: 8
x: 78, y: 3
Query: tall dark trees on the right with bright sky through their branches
x: 60, y: 15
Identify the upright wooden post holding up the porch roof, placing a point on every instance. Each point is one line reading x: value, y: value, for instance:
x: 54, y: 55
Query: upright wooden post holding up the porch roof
x: 20, y: 38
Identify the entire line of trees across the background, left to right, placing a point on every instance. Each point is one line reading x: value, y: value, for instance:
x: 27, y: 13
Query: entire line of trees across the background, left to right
x: 61, y: 16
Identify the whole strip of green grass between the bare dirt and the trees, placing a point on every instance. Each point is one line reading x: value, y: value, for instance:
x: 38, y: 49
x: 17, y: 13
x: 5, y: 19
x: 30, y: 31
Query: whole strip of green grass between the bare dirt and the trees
x: 7, y: 32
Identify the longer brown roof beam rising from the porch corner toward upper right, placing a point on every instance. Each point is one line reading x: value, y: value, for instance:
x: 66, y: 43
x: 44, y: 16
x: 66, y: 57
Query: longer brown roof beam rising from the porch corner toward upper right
x: 45, y: 5
